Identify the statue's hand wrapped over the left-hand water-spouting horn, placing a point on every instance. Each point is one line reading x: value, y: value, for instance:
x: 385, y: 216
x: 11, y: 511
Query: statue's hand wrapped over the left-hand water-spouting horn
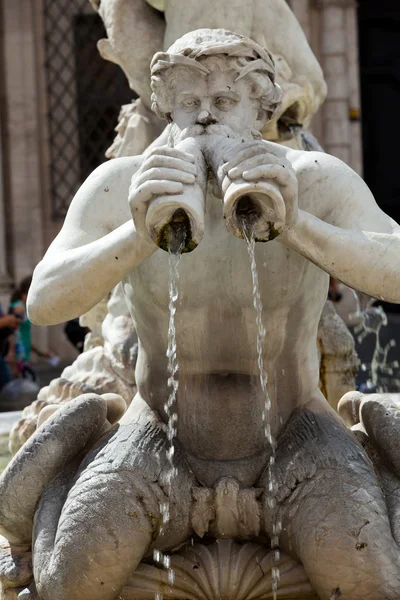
x: 163, y: 172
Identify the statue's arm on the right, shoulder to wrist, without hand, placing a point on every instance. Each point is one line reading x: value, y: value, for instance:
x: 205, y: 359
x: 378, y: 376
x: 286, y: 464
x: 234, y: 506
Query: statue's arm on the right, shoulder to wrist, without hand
x: 352, y: 239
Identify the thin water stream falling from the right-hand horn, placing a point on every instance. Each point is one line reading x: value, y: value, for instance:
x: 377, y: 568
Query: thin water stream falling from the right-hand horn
x: 266, y: 415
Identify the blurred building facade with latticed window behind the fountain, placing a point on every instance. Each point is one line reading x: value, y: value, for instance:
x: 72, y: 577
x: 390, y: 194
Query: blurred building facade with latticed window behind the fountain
x: 59, y: 103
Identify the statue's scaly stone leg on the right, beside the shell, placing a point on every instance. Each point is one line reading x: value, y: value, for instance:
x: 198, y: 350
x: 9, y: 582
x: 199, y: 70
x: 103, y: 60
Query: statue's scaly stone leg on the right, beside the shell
x: 333, y: 514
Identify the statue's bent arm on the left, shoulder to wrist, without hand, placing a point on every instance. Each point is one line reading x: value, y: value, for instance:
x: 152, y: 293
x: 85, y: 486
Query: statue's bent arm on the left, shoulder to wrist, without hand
x: 96, y: 247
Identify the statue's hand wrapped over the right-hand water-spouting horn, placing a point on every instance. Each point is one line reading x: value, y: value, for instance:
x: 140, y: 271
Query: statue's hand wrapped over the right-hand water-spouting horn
x: 261, y: 161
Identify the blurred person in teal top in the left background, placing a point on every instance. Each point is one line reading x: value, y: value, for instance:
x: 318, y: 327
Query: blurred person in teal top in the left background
x: 21, y: 345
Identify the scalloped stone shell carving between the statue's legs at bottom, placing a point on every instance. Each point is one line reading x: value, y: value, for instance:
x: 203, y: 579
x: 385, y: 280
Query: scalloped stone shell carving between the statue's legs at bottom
x: 224, y: 570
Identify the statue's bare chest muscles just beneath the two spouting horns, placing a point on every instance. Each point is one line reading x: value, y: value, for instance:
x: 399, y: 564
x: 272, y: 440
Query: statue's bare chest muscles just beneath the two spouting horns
x: 220, y: 268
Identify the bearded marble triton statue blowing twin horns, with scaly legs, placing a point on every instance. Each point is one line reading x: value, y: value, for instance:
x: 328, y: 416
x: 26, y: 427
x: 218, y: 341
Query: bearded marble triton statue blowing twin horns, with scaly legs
x: 87, y: 493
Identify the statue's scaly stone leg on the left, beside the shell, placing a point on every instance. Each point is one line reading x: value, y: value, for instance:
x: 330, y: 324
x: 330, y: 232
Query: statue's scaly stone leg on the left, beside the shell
x: 90, y: 537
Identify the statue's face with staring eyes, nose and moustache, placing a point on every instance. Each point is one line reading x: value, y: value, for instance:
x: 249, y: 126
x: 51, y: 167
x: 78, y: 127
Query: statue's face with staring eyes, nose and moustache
x: 215, y: 99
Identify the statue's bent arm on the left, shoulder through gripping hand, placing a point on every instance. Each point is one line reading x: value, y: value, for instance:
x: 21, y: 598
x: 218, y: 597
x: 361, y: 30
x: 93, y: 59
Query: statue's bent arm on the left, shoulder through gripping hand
x: 104, y: 235
